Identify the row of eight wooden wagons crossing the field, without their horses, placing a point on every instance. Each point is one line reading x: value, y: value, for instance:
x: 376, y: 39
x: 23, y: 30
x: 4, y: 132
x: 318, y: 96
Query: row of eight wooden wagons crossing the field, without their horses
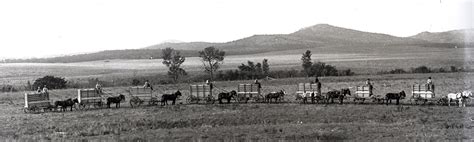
x: 91, y: 98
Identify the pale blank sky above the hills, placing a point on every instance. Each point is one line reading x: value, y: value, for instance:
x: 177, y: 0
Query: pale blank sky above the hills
x: 40, y: 28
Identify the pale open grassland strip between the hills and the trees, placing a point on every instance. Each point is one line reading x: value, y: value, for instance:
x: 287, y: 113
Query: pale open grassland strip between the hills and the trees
x: 359, y: 62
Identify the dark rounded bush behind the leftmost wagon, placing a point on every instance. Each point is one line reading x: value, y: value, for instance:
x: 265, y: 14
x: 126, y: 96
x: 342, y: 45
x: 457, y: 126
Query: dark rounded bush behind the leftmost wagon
x: 51, y: 82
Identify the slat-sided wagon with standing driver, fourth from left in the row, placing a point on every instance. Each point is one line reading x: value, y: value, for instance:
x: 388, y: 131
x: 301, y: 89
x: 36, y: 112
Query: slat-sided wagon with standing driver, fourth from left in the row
x: 200, y: 93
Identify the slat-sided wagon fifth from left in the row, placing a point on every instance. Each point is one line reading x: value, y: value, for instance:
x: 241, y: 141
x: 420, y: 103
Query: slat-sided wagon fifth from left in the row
x: 246, y: 92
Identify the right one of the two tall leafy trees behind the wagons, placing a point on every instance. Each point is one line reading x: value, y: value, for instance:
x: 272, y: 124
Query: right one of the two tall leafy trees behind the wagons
x: 211, y: 58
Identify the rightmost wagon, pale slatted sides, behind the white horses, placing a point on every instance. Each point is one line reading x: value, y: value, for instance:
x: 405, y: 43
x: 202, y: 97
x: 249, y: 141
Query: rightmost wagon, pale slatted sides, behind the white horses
x: 420, y: 92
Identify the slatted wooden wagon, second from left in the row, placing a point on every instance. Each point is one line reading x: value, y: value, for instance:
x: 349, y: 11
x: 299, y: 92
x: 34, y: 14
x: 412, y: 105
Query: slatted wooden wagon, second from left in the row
x: 89, y: 98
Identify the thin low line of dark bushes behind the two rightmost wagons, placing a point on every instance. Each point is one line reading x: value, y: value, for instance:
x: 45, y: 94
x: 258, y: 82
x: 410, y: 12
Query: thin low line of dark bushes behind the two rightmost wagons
x: 423, y: 69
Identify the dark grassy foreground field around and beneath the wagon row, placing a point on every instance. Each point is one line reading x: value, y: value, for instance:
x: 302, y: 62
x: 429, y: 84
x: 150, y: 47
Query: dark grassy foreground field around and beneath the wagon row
x: 251, y: 122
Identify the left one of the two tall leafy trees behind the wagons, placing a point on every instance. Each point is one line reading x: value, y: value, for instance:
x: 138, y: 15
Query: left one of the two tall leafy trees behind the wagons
x: 173, y: 60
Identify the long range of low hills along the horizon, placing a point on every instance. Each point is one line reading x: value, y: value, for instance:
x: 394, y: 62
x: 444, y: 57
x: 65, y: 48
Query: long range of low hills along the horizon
x: 322, y: 37
